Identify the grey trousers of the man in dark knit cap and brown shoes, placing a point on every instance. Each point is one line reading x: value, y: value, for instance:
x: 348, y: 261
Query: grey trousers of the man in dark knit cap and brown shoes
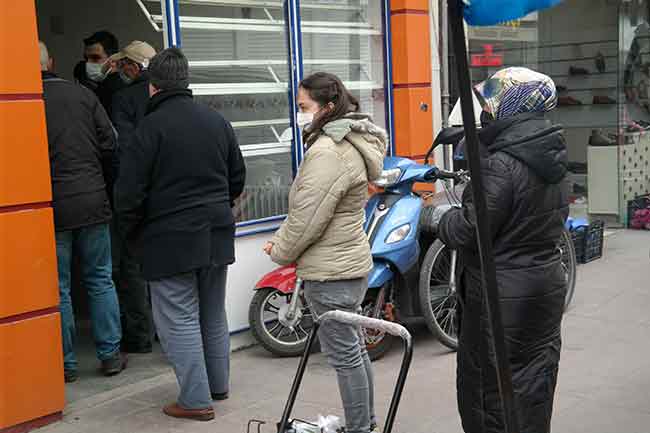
x: 190, y: 315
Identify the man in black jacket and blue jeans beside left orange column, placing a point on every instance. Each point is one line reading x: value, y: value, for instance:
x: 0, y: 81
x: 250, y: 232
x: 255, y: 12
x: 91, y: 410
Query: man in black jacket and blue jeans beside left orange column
x: 81, y: 143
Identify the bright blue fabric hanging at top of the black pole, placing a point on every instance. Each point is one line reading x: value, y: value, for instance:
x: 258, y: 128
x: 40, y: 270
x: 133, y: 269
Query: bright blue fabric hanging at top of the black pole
x: 491, y: 12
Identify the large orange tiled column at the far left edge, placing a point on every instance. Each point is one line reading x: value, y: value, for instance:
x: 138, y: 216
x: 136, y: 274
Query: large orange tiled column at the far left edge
x: 31, y: 362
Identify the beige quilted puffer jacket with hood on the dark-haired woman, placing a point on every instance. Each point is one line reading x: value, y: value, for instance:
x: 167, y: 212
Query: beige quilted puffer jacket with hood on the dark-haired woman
x: 323, y: 232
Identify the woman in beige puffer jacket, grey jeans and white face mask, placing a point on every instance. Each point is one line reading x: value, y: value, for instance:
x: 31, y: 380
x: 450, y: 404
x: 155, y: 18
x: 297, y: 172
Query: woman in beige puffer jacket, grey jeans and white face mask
x: 324, y: 230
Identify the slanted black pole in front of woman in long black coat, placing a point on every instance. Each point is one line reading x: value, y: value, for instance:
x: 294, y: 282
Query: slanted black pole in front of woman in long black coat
x: 484, y: 236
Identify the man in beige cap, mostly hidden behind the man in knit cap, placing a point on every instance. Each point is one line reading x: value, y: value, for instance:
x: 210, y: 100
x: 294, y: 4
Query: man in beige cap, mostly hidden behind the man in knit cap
x: 129, y: 107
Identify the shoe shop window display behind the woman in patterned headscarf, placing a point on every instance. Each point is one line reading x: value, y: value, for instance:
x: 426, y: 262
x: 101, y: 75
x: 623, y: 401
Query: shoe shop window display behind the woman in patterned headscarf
x: 598, y: 54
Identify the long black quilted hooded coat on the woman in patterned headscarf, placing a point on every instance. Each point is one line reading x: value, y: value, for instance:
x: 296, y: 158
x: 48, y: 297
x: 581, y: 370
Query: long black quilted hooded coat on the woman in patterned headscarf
x: 524, y: 163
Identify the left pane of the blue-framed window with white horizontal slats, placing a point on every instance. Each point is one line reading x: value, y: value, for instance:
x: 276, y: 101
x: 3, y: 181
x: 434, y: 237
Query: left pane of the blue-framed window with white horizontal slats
x: 239, y: 66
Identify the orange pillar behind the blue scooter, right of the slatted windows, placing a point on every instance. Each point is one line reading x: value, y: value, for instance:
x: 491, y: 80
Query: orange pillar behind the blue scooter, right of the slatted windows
x: 411, y: 77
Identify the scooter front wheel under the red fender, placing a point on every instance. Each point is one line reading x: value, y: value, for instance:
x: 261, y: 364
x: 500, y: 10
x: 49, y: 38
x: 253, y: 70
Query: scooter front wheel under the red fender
x: 269, y: 331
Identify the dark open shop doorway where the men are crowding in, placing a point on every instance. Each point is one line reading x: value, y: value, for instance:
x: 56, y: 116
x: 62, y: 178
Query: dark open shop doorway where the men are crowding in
x: 63, y: 25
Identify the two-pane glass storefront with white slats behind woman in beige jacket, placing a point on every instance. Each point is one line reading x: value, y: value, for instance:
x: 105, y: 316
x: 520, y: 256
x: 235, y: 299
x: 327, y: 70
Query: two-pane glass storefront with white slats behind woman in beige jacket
x: 239, y: 64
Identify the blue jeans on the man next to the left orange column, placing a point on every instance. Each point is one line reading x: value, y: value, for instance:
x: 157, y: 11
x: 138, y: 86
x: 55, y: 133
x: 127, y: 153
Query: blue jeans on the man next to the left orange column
x: 93, y: 246
